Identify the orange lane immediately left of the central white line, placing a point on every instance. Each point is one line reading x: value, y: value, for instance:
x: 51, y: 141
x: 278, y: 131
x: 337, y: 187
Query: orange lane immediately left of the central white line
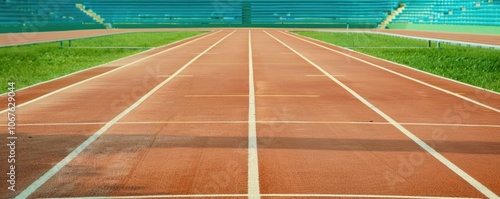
x: 173, y: 159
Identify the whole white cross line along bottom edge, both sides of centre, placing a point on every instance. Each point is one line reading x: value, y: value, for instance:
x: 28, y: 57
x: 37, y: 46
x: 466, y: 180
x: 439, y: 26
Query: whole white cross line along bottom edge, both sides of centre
x: 268, y: 195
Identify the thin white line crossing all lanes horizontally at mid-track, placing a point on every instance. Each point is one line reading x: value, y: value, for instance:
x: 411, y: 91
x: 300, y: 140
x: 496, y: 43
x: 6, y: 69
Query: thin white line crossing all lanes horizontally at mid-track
x: 258, y: 122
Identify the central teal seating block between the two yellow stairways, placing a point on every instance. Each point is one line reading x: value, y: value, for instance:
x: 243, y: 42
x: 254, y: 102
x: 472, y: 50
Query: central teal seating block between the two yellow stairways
x: 363, y: 13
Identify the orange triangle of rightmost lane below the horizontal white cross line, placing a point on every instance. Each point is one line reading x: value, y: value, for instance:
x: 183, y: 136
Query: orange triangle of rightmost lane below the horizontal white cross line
x: 474, y: 149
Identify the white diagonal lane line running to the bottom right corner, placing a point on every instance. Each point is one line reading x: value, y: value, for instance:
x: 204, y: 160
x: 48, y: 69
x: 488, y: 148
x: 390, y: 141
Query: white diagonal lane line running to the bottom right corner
x: 476, y: 184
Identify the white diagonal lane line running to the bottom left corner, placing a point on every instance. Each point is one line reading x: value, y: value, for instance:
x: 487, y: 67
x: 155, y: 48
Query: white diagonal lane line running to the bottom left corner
x: 35, y: 185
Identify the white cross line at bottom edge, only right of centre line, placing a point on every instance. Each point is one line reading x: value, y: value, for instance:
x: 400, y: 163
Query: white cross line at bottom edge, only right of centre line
x: 360, y: 196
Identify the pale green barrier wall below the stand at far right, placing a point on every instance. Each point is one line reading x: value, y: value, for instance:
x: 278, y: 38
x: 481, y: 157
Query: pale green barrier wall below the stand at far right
x: 447, y: 28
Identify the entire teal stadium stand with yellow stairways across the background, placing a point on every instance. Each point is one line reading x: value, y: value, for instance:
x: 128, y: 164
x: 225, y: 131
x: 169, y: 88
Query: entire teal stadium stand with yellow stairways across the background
x: 38, y: 15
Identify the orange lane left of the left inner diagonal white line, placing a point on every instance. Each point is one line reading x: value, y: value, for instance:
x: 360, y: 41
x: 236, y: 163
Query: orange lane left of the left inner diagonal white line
x: 98, y: 100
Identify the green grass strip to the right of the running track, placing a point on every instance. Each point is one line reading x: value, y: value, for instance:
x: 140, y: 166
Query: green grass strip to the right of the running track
x: 475, y: 66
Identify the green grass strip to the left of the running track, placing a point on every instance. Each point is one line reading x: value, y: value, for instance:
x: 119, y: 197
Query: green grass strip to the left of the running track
x: 31, y: 64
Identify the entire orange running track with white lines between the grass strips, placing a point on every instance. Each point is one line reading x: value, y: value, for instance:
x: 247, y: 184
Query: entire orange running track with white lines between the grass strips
x: 256, y: 113
